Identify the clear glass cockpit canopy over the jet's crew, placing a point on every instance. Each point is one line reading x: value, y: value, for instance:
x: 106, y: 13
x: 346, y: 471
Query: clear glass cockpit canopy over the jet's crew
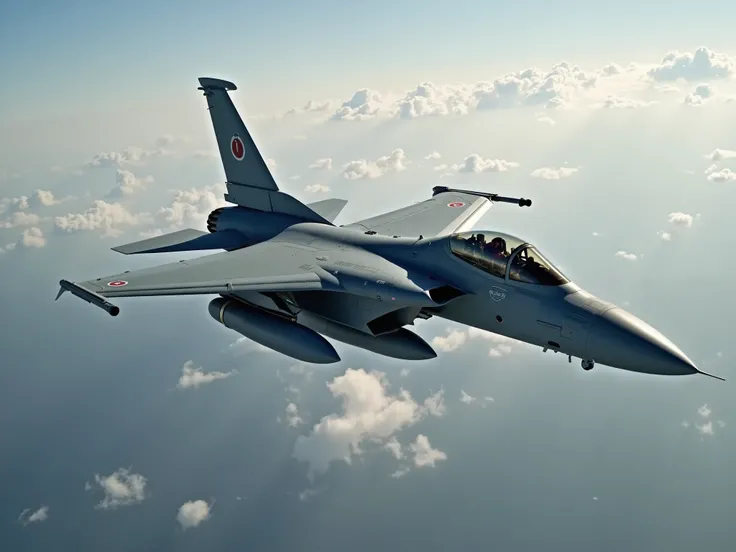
x: 497, y: 253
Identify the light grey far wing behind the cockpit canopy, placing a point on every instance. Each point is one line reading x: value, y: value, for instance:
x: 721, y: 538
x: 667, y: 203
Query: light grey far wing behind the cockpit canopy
x: 446, y: 213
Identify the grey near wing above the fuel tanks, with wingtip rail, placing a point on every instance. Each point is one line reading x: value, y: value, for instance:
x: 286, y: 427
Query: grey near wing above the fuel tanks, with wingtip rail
x: 268, y: 266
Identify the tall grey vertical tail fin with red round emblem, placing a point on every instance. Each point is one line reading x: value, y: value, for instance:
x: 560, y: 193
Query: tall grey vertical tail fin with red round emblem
x: 249, y: 182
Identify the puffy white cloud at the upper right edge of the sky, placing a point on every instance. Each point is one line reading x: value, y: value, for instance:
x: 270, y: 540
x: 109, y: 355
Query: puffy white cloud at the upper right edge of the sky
x: 703, y: 64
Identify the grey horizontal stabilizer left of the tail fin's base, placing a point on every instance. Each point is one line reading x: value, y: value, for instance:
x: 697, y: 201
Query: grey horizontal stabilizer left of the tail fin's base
x: 185, y: 240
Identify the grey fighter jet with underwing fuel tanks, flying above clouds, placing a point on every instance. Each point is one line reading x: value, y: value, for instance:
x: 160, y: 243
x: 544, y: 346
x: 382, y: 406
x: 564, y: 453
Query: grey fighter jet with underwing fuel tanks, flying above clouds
x: 286, y: 275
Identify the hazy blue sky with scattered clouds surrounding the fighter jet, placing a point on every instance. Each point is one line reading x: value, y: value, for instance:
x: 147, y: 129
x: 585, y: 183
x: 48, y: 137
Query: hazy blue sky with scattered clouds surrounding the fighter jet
x: 160, y: 429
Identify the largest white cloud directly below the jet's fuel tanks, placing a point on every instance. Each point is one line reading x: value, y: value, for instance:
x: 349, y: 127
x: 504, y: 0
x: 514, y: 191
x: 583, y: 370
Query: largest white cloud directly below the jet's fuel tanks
x: 369, y: 414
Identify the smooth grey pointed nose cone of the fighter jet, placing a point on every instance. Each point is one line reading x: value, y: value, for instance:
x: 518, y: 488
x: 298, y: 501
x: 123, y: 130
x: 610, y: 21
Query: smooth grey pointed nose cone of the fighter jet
x: 620, y: 339
